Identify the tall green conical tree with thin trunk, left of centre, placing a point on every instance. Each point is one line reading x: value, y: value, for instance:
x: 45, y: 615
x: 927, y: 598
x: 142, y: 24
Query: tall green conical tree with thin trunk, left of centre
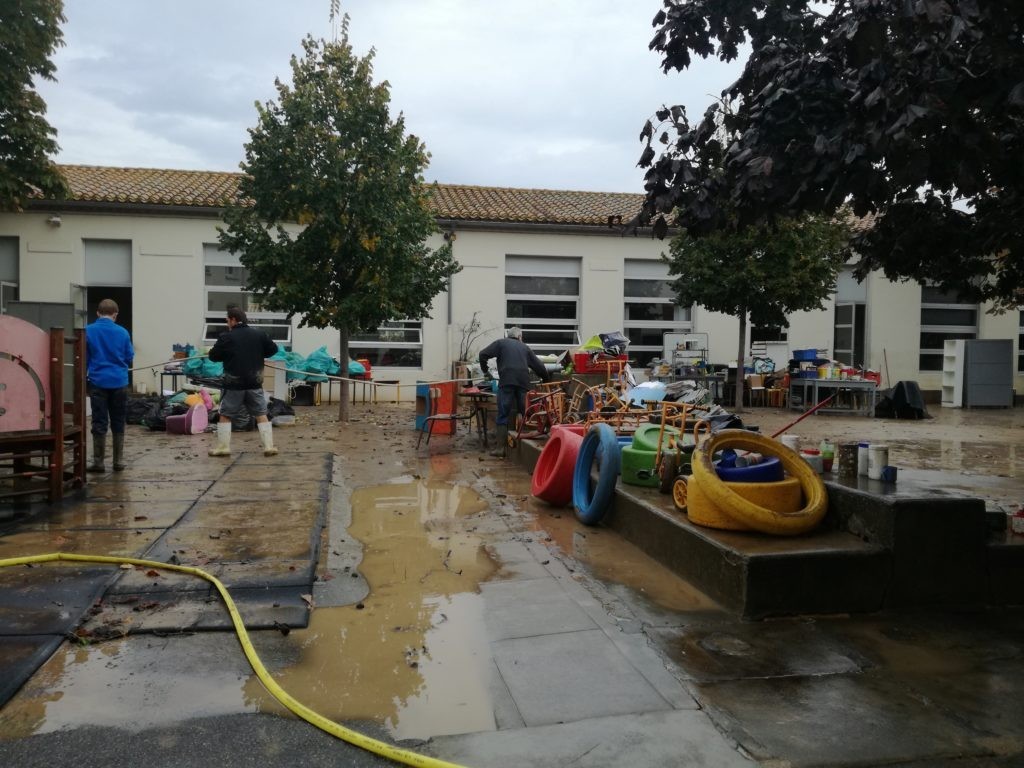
x: 328, y: 156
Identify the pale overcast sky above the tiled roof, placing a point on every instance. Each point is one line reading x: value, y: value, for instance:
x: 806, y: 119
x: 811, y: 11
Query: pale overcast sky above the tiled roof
x: 531, y: 94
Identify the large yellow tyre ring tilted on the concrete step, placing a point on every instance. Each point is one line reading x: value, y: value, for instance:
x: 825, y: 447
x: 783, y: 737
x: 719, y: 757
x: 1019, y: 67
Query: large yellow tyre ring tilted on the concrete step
x: 751, y: 515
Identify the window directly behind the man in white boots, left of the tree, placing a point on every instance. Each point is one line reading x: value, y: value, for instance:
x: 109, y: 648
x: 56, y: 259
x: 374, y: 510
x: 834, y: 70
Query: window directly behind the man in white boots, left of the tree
x: 225, y: 285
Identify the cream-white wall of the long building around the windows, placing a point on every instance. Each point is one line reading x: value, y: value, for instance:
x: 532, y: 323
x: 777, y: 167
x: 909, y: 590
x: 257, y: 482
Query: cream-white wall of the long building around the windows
x: 168, y: 293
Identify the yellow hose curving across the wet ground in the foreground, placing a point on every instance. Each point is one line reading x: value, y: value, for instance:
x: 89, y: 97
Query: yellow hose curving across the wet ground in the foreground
x: 335, y: 730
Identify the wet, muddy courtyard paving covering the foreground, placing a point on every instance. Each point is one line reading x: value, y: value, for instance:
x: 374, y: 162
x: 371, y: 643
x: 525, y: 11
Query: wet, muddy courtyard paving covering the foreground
x: 453, y: 608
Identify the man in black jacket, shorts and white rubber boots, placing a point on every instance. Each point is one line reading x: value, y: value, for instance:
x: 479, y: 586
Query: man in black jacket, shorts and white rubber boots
x: 243, y: 350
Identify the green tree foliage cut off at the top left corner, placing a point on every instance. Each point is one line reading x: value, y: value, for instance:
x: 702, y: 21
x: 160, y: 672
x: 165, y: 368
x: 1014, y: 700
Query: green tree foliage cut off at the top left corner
x: 30, y: 33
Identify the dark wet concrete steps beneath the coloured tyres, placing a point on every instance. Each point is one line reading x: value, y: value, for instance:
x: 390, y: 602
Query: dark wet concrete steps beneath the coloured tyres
x: 881, y: 546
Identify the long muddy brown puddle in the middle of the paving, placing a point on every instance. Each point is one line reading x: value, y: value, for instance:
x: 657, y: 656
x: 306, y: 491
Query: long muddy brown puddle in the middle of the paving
x: 415, y: 656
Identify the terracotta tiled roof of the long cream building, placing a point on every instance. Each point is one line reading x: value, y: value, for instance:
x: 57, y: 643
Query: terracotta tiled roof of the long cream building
x: 458, y: 202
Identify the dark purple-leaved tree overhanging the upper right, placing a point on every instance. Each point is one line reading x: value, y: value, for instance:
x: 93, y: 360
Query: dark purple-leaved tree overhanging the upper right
x: 913, y: 112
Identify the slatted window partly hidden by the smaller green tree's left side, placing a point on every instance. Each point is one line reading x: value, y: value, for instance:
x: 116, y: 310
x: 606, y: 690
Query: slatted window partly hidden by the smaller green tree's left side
x: 650, y: 311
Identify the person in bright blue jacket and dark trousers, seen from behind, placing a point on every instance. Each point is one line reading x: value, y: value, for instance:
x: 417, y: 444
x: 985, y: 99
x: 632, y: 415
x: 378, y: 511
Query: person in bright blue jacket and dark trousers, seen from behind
x: 109, y: 356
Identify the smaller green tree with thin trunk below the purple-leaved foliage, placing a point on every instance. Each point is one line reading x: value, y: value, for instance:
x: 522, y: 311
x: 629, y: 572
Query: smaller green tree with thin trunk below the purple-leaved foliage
x: 762, y: 275
